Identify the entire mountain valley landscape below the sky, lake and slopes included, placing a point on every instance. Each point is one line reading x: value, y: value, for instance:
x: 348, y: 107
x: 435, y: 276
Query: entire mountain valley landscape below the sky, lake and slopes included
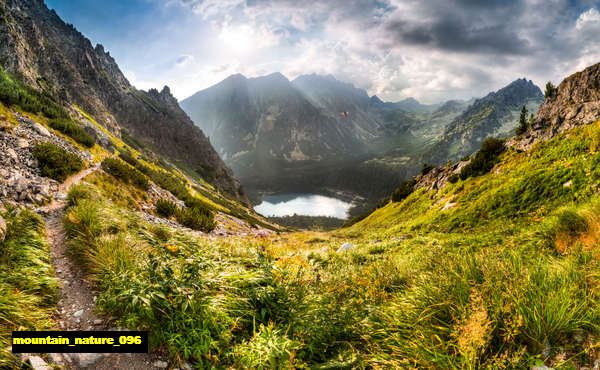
x: 295, y: 224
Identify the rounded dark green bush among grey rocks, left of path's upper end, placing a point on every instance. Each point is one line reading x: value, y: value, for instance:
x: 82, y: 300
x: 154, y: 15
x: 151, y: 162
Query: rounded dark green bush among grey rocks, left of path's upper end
x: 55, y: 162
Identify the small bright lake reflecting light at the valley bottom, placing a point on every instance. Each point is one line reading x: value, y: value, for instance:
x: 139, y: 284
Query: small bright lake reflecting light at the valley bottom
x: 303, y: 204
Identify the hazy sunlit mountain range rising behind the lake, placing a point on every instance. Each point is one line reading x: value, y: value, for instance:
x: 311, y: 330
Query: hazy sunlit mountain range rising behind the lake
x: 276, y: 133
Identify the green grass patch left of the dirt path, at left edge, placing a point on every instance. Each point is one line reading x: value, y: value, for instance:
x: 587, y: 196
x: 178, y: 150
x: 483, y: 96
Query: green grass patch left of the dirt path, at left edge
x: 28, y: 289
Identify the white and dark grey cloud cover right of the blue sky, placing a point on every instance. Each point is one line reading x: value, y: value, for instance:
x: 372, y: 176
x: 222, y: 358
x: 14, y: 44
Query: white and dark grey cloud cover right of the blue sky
x: 429, y: 49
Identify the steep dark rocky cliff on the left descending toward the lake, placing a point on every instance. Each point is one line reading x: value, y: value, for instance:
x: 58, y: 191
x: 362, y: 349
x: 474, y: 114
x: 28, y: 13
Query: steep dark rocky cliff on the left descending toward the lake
x: 54, y: 57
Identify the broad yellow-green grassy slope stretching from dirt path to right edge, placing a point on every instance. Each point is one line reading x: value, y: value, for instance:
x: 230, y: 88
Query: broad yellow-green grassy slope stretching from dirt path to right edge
x: 507, y: 278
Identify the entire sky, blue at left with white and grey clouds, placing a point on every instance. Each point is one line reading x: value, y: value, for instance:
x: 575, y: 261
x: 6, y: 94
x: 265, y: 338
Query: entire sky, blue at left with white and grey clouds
x: 432, y: 50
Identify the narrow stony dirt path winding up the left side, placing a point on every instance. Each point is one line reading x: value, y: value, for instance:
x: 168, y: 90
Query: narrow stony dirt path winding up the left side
x: 76, y: 304
